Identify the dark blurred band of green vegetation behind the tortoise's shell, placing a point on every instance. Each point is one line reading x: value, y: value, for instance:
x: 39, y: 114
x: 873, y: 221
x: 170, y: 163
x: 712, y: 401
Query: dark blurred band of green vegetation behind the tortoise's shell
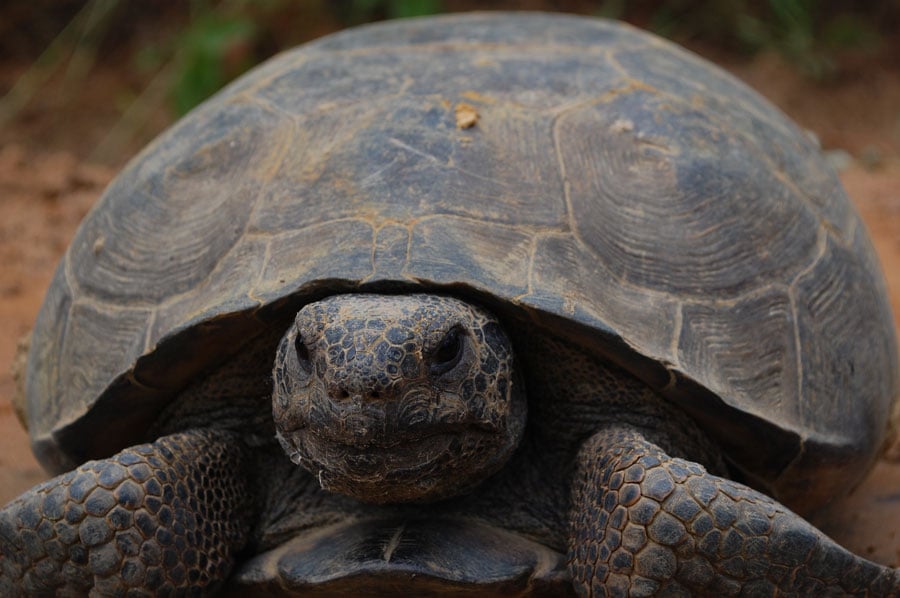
x: 194, y: 48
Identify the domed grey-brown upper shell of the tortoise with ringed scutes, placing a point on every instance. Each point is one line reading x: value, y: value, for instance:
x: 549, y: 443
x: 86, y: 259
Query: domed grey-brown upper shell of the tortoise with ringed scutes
x: 579, y: 175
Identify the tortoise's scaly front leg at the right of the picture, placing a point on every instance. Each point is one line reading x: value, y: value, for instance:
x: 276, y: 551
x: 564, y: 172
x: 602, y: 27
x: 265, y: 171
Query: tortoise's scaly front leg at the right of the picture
x: 644, y: 523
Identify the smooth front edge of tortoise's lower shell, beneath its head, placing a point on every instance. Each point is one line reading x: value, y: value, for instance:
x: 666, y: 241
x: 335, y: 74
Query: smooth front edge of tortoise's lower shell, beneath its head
x: 397, y: 555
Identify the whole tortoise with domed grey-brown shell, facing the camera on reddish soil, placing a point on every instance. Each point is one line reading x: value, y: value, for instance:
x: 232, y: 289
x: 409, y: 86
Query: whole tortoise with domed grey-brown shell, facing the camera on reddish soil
x: 489, y: 303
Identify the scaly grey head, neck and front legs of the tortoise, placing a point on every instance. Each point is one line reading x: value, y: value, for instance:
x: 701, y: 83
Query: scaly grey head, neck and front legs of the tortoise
x: 412, y: 399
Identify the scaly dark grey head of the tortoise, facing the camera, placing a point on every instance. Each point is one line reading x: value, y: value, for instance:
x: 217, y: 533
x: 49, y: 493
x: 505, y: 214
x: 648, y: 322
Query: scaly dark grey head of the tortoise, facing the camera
x: 397, y: 398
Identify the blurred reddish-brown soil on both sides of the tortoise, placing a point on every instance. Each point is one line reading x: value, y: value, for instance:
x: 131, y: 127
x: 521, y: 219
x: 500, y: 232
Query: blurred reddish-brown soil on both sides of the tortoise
x: 51, y: 171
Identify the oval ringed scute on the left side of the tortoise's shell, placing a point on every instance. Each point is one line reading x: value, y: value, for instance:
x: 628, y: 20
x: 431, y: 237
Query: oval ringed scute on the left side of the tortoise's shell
x: 170, y: 217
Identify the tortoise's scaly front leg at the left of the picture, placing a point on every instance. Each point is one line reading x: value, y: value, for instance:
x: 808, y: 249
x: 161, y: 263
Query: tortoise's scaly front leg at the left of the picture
x: 152, y: 519
